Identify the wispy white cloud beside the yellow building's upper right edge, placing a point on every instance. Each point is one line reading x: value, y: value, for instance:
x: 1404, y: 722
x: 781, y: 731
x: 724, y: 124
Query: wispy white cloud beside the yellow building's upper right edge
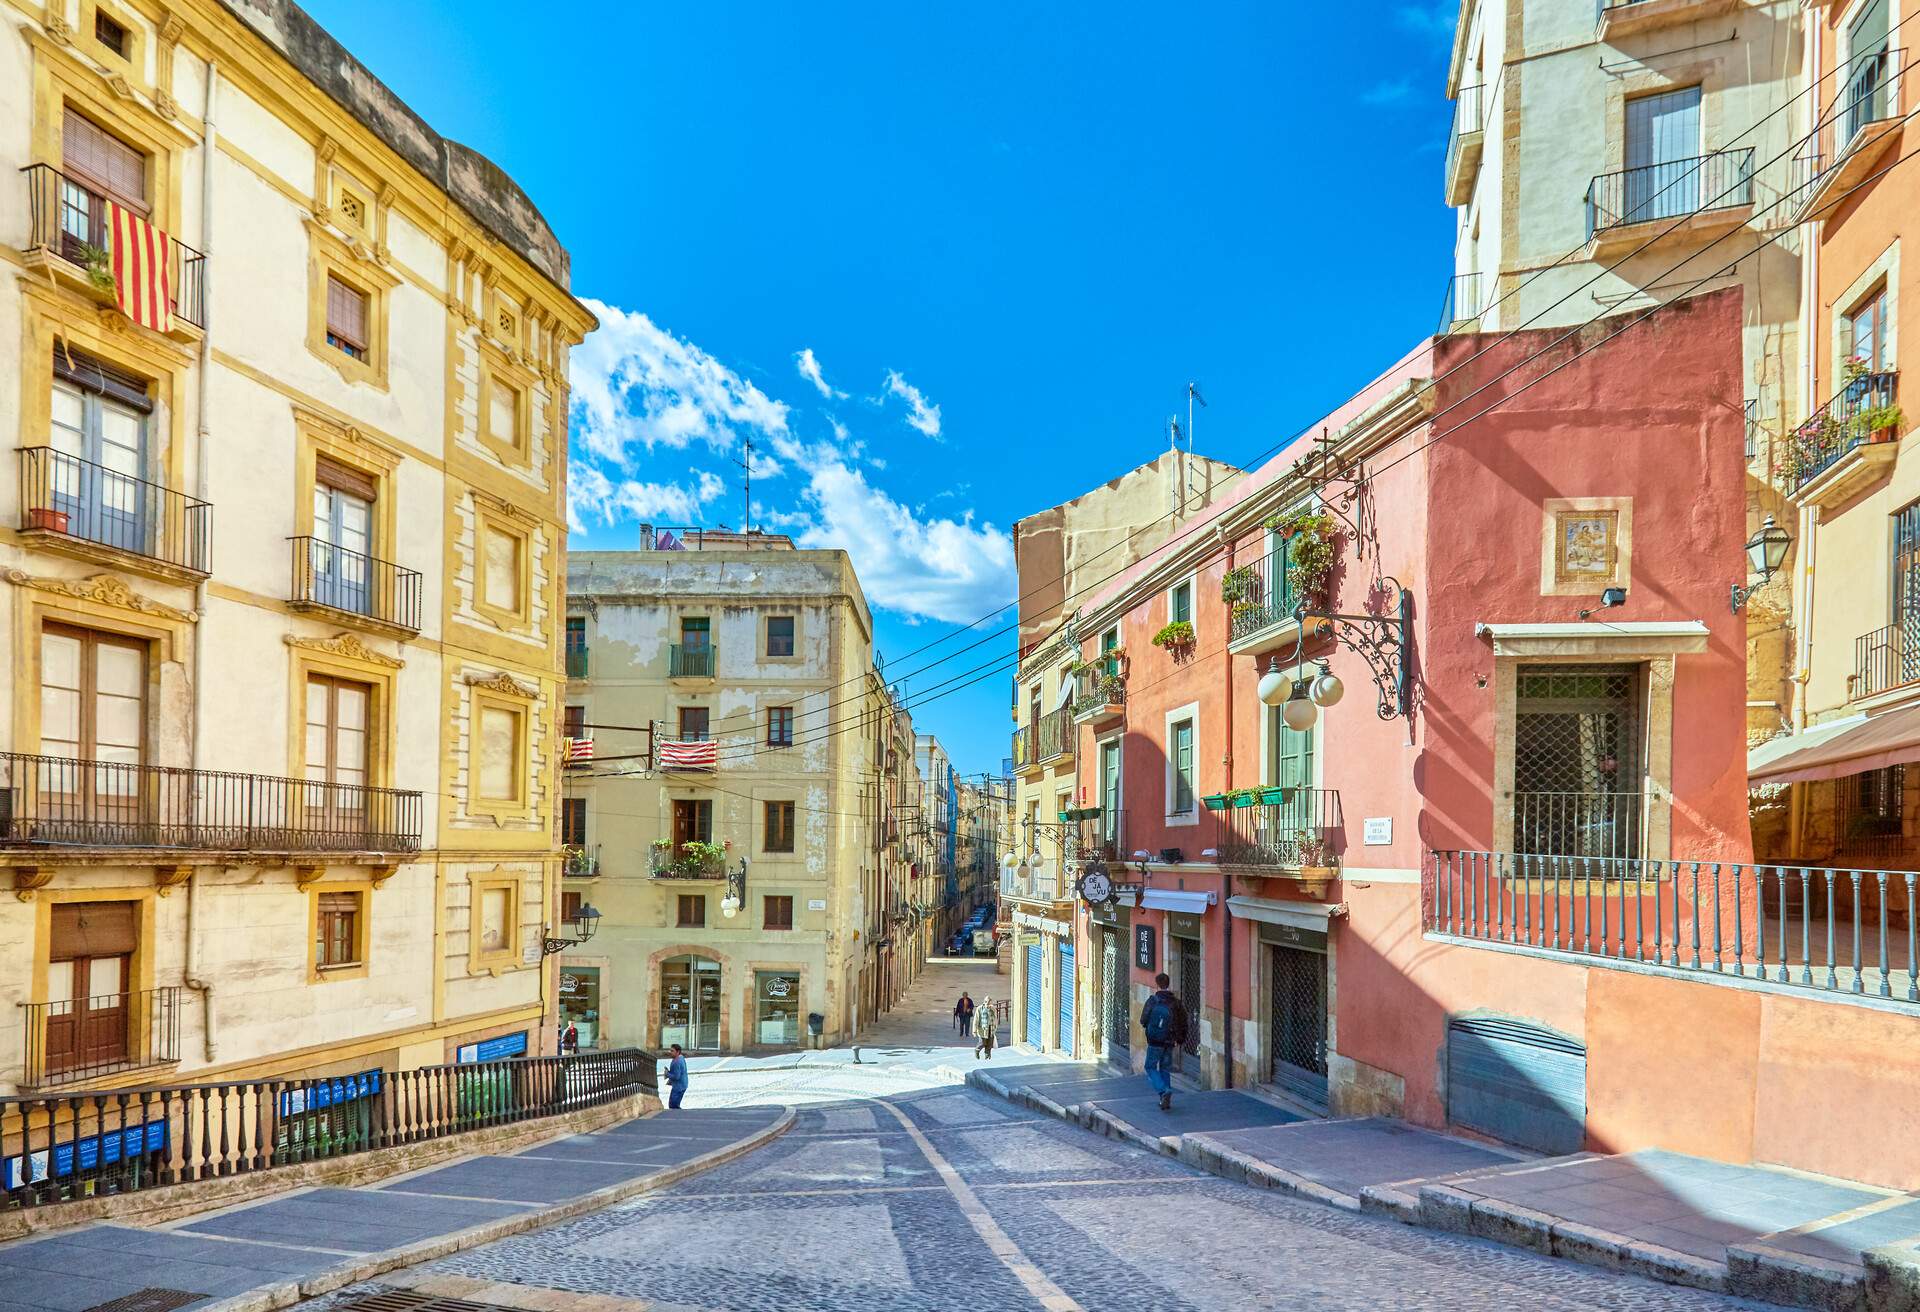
x: 640, y: 387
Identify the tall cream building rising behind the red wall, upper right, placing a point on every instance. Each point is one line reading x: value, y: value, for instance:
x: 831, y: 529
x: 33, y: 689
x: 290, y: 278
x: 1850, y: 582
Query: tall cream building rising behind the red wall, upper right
x: 1616, y: 157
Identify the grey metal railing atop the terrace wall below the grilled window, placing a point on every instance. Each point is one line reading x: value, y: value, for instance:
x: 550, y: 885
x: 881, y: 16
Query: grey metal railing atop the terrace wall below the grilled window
x: 1836, y: 931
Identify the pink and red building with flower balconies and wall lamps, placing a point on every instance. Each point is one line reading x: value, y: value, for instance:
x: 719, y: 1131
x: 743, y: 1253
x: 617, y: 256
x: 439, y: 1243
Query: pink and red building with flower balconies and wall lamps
x: 1506, y: 881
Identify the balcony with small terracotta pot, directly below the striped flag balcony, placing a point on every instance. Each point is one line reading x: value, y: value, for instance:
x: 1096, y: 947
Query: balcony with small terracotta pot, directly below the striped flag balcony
x: 112, y: 518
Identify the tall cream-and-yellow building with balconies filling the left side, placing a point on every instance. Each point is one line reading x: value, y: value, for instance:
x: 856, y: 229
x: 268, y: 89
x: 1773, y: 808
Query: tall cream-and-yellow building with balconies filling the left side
x: 281, y: 564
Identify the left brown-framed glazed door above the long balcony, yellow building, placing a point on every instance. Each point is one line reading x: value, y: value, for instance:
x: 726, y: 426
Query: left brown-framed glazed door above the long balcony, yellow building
x: 93, y: 708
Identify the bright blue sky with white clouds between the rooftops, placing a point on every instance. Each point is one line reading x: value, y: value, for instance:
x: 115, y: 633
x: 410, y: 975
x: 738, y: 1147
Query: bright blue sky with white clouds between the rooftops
x: 946, y: 266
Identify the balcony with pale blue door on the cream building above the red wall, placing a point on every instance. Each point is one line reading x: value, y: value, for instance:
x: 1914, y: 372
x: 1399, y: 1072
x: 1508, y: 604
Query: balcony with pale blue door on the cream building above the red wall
x: 1696, y: 199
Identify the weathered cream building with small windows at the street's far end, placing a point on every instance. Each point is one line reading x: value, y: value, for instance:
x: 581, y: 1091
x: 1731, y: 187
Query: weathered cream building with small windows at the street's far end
x: 732, y: 888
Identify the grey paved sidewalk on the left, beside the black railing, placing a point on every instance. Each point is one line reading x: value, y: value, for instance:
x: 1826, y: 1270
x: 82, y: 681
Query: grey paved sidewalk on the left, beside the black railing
x: 256, y: 1255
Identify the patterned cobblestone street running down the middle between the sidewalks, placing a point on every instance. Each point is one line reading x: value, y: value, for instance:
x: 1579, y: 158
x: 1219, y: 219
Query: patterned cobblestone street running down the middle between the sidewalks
x: 900, y: 1190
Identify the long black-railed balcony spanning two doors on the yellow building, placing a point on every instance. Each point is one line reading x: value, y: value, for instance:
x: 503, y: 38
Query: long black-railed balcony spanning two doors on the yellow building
x: 60, y: 802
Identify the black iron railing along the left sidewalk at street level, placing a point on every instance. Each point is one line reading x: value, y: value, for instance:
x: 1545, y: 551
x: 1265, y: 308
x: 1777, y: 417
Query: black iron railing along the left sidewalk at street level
x: 82, y: 1146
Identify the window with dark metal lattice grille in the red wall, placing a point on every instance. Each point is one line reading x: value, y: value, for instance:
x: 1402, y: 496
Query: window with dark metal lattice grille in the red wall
x: 1577, y: 762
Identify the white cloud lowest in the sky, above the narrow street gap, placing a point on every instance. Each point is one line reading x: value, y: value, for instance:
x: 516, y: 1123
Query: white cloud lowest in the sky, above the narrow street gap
x: 942, y: 570
